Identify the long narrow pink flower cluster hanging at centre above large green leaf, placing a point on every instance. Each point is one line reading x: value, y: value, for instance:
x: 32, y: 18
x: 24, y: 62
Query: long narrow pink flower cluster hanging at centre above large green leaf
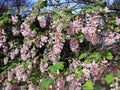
x: 58, y: 43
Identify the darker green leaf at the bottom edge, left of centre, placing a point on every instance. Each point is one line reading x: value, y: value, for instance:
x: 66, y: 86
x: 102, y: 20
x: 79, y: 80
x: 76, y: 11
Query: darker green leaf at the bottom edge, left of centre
x: 45, y: 83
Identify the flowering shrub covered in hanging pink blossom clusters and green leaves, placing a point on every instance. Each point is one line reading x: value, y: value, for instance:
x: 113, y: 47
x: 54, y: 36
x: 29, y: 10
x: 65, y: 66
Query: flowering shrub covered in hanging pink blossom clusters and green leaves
x: 60, y: 50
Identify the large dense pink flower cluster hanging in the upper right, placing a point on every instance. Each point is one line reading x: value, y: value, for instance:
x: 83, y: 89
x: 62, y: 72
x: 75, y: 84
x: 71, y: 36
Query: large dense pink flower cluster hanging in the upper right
x: 90, y: 29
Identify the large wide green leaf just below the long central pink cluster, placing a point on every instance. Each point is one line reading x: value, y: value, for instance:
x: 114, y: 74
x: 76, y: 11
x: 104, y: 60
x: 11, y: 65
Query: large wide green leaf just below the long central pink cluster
x: 58, y: 66
